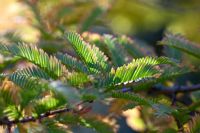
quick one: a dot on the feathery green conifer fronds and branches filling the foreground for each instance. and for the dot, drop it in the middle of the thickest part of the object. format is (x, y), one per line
(110, 67)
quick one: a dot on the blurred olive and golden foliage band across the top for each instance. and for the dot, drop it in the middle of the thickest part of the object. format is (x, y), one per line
(136, 17)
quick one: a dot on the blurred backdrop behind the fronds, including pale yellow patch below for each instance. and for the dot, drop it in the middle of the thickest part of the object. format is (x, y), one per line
(43, 22)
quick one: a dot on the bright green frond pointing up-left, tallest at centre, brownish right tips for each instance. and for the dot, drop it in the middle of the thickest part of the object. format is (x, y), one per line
(94, 59)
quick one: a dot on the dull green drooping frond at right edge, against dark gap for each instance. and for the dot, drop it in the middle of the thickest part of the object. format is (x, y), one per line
(180, 43)
